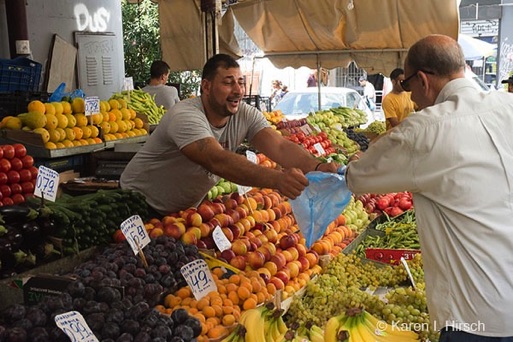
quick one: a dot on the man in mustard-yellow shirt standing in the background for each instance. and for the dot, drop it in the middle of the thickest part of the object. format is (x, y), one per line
(397, 105)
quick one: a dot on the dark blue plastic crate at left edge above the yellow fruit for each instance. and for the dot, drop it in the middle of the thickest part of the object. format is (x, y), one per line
(19, 74)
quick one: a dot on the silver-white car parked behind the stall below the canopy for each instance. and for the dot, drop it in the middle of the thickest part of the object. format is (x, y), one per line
(297, 104)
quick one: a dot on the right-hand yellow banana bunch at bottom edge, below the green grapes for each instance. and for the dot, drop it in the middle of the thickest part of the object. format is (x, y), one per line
(357, 325)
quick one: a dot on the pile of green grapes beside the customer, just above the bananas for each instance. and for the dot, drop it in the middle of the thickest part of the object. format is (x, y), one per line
(348, 282)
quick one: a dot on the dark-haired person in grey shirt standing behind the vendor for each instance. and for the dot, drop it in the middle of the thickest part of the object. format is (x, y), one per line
(165, 95)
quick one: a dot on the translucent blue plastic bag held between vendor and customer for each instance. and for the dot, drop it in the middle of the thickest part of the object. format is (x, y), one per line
(320, 203)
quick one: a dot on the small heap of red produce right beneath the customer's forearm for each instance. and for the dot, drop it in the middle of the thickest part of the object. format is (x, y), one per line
(392, 204)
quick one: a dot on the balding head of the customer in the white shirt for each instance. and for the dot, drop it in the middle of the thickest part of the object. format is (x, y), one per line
(431, 63)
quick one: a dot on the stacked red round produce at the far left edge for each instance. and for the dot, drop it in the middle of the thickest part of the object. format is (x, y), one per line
(17, 174)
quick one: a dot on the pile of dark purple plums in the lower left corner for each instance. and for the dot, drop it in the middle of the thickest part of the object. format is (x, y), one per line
(116, 294)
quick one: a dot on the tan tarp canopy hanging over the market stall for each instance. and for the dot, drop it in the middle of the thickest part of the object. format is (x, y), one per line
(327, 33)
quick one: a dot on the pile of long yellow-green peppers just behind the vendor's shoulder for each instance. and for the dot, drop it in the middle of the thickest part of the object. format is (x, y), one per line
(142, 103)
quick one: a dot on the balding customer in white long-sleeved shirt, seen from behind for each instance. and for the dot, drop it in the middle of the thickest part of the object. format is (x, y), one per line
(456, 156)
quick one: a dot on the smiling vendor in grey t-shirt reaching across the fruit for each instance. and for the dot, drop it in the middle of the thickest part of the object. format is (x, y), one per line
(194, 146)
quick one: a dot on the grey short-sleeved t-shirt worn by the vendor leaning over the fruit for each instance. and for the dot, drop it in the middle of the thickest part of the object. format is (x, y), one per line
(169, 180)
